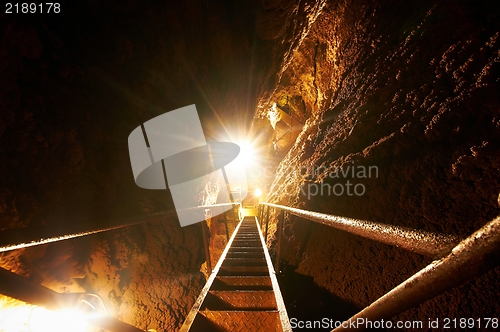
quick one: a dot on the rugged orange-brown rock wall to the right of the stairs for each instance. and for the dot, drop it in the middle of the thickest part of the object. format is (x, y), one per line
(414, 90)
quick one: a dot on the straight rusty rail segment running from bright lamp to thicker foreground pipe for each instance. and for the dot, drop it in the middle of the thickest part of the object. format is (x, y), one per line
(422, 242)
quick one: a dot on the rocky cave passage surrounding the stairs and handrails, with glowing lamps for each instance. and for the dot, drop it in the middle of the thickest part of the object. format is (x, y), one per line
(369, 110)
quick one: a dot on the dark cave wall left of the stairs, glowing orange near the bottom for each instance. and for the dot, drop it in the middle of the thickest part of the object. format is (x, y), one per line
(73, 85)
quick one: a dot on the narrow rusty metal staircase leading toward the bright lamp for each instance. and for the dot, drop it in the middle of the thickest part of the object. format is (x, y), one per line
(242, 293)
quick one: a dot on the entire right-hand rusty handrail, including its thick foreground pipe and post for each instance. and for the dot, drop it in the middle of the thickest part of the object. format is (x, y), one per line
(472, 257)
